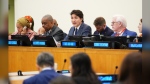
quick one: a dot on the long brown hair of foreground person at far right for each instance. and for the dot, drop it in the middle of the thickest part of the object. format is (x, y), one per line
(131, 69)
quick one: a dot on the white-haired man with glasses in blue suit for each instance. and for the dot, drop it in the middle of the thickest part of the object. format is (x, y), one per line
(119, 25)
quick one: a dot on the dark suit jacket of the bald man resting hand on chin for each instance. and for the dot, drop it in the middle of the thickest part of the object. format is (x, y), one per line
(56, 32)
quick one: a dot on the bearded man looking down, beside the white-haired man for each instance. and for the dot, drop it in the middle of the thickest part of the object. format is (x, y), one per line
(101, 28)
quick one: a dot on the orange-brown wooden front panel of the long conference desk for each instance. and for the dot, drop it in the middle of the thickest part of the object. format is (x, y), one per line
(103, 60)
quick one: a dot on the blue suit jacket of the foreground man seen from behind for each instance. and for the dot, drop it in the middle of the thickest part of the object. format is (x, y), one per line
(43, 77)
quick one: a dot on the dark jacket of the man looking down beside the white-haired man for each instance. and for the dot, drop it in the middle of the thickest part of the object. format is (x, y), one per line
(106, 32)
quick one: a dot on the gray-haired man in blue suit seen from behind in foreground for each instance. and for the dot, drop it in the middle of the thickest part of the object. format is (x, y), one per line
(45, 64)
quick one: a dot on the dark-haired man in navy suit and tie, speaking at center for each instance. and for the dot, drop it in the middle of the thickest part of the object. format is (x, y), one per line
(79, 28)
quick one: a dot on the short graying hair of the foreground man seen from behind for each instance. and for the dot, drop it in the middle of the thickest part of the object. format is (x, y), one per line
(45, 59)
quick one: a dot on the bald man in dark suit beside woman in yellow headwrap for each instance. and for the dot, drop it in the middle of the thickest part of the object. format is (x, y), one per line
(48, 25)
